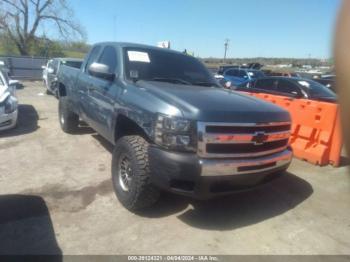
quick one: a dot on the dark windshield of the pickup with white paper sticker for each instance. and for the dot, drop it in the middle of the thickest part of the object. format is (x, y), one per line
(161, 65)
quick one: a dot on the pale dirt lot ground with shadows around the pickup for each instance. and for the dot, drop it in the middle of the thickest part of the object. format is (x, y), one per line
(56, 197)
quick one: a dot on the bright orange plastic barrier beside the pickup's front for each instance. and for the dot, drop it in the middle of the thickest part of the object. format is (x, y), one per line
(316, 131)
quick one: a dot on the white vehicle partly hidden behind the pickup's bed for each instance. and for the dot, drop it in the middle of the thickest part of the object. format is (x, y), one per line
(52, 69)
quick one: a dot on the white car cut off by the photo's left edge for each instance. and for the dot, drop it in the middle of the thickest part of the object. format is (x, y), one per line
(8, 103)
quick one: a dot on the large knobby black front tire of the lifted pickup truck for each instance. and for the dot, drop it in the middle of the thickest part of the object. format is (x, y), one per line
(141, 194)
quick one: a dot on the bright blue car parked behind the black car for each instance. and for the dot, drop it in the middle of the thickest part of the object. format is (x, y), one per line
(239, 76)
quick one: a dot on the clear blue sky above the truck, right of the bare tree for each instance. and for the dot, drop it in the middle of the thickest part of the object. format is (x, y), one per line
(256, 28)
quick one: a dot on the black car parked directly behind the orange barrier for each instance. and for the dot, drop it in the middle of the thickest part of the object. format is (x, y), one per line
(289, 86)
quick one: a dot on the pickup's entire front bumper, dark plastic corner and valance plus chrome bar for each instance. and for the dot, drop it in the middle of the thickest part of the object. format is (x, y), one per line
(186, 174)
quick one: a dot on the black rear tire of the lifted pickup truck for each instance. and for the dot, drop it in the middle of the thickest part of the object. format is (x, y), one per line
(69, 120)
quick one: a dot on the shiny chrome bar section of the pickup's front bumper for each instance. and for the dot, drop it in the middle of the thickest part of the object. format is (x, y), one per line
(229, 167)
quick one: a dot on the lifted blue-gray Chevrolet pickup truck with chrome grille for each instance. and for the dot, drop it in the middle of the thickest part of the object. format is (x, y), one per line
(174, 129)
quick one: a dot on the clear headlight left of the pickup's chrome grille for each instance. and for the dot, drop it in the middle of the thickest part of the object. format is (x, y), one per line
(175, 133)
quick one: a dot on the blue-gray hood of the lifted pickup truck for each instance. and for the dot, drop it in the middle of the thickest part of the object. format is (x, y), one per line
(212, 104)
